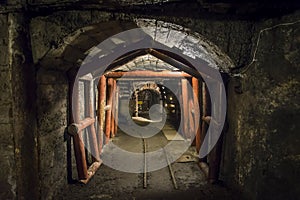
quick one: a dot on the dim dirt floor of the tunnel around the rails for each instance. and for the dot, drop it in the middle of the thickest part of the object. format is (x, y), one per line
(109, 183)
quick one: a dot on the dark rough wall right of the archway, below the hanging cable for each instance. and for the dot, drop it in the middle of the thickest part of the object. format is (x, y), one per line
(262, 145)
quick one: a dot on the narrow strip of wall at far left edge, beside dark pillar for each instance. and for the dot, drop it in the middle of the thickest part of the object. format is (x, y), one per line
(7, 164)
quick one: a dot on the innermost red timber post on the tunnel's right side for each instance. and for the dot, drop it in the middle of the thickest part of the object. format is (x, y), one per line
(185, 104)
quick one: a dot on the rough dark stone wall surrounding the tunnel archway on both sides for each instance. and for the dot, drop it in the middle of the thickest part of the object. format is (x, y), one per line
(261, 147)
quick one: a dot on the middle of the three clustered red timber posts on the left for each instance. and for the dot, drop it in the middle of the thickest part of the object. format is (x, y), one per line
(108, 112)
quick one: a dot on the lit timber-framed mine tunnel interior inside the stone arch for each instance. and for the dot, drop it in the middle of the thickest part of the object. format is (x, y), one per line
(154, 104)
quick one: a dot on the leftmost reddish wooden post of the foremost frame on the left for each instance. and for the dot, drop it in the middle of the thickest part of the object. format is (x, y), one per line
(78, 143)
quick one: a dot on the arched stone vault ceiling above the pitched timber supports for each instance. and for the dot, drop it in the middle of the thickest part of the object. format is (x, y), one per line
(89, 47)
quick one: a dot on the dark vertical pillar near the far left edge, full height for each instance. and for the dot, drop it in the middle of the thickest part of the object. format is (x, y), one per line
(24, 114)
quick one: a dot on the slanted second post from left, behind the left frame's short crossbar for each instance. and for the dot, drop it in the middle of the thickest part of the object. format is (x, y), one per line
(93, 137)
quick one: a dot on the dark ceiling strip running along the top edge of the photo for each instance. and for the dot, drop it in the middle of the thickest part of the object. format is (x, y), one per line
(248, 9)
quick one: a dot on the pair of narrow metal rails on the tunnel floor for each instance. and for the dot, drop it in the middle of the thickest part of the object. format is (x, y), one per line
(145, 174)
